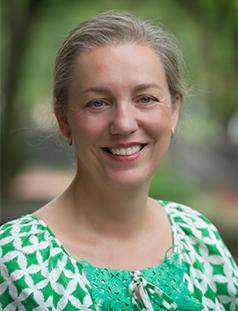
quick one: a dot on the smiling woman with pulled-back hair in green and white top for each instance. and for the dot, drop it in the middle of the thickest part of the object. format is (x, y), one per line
(103, 244)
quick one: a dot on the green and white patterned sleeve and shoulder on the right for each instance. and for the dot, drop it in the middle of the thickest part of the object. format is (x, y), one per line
(211, 270)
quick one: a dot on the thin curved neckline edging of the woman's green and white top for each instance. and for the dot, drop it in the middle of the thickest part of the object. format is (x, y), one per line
(84, 262)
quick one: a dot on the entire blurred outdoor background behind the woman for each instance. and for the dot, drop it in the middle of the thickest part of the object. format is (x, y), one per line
(200, 169)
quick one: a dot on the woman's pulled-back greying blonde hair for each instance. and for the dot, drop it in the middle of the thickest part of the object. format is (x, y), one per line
(114, 28)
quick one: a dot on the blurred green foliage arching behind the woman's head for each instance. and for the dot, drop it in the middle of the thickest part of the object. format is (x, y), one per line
(206, 31)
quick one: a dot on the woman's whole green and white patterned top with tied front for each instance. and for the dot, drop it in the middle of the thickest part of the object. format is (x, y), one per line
(37, 273)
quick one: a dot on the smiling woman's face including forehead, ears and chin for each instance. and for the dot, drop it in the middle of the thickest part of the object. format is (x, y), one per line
(119, 114)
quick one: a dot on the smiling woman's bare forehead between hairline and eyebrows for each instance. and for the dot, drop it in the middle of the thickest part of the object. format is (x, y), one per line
(119, 65)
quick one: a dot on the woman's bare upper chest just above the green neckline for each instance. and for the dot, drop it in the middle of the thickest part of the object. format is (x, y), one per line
(128, 254)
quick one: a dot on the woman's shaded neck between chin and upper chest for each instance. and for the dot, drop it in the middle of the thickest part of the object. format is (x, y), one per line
(108, 210)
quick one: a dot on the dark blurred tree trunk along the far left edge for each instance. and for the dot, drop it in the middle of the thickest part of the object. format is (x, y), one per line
(18, 18)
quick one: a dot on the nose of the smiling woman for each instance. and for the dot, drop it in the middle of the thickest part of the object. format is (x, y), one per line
(124, 120)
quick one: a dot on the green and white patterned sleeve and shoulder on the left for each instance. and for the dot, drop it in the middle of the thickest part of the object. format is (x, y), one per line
(35, 269)
